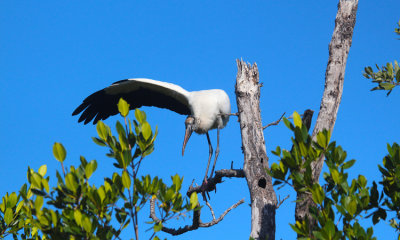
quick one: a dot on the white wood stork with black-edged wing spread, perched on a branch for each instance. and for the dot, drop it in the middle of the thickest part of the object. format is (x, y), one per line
(206, 109)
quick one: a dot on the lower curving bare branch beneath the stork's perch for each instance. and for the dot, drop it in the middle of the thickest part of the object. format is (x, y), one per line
(196, 219)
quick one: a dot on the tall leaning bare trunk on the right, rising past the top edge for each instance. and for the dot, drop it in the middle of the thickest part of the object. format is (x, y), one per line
(334, 78)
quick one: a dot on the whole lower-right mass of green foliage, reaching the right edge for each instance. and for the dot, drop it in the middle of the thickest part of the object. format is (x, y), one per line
(340, 200)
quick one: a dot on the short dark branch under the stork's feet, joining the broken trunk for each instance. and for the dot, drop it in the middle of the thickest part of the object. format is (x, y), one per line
(212, 182)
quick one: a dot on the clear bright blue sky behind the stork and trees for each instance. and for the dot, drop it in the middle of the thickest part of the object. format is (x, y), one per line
(55, 53)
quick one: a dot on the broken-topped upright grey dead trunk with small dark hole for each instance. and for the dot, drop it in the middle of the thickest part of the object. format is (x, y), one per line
(263, 198)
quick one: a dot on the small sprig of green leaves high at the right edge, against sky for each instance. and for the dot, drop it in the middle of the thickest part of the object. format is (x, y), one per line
(387, 77)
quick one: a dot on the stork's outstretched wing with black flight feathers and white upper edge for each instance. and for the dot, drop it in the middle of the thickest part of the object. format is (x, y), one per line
(137, 92)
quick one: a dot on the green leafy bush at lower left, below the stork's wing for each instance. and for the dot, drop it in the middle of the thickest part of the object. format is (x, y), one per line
(76, 209)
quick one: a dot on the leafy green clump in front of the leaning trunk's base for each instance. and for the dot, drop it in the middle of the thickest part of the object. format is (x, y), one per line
(339, 201)
